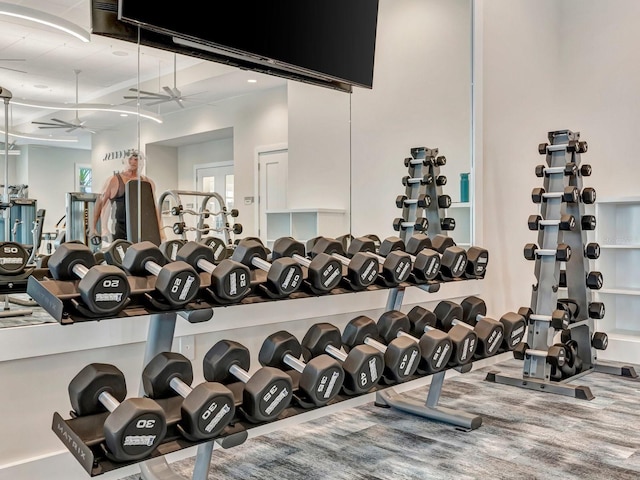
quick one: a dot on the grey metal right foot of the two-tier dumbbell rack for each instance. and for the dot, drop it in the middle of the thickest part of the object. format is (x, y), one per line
(390, 398)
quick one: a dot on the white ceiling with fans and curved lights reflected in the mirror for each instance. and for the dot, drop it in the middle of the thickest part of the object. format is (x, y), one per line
(46, 59)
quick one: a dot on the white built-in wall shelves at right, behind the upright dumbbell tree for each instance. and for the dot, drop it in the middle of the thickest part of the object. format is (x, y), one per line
(618, 234)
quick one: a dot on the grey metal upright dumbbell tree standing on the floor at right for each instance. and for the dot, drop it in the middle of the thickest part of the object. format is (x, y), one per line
(563, 156)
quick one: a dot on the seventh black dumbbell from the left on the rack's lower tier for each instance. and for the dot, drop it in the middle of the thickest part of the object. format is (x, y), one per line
(435, 345)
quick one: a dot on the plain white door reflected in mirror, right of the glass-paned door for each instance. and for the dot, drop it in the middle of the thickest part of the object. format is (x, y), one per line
(272, 185)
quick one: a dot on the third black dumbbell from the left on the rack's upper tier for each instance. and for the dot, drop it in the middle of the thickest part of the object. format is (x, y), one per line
(230, 280)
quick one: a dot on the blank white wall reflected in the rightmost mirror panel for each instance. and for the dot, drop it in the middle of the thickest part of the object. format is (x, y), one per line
(421, 96)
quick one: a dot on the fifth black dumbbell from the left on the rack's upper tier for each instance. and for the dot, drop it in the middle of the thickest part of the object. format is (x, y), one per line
(324, 272)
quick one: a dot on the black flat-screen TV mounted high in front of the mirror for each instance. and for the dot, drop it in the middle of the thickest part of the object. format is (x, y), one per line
(327, 42)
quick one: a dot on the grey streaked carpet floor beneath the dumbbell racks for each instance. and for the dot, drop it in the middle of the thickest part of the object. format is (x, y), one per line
(524, 435)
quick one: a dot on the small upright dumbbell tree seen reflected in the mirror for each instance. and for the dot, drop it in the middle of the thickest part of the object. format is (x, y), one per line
(424, 168)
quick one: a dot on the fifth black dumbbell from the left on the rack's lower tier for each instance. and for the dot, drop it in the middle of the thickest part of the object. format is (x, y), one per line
(363, 365)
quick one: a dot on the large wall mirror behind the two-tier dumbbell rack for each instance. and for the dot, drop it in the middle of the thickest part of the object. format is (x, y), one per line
(320, 161)
